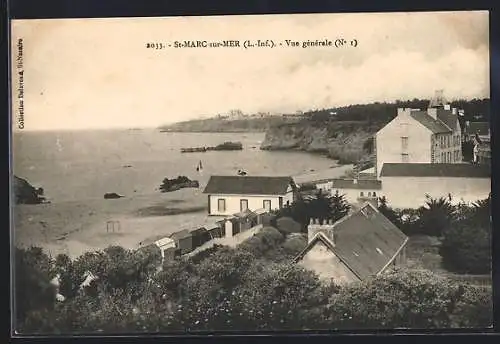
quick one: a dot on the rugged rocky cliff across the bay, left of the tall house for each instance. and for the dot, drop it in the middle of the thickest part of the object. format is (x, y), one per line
(346, 141)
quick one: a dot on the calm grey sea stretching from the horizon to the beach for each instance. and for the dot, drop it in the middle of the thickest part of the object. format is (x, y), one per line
(77, 165)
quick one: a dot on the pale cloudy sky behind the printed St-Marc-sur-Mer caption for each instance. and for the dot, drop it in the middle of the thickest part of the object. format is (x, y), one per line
(97, 73)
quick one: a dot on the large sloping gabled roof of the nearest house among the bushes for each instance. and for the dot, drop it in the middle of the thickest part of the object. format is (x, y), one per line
(365, 241)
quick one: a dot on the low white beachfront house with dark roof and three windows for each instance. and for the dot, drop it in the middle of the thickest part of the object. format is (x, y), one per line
(228, 195)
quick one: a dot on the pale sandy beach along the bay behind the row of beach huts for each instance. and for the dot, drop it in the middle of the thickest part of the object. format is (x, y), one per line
(74, 227)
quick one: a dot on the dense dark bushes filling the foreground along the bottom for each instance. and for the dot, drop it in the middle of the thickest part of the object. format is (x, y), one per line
(251, 287)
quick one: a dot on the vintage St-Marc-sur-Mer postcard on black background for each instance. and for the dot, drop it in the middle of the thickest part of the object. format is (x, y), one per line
(251, 173)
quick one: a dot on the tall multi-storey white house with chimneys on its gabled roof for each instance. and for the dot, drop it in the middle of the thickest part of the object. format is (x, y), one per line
(416, 136)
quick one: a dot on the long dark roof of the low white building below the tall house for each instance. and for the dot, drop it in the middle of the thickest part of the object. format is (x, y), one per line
(434, 170)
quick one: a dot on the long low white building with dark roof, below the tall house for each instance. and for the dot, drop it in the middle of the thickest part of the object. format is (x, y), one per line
(406, 185)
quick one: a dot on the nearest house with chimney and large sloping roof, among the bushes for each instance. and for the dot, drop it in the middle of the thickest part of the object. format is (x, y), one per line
(362, 244)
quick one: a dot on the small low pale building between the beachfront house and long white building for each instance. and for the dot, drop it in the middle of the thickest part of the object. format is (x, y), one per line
(355, 190)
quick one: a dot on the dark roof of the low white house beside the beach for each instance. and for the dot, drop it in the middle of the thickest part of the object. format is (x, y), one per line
(248, 185)
